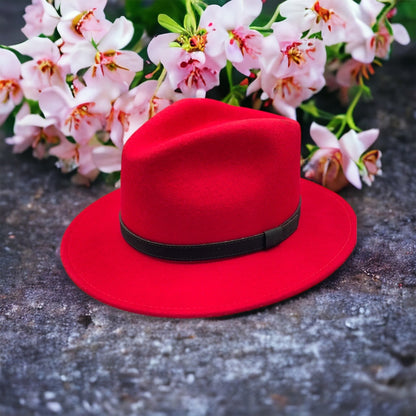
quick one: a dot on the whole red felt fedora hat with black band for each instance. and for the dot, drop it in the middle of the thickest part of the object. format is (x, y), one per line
(212, 218)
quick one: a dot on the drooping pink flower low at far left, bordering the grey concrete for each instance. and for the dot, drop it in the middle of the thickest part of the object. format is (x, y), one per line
(32, 130)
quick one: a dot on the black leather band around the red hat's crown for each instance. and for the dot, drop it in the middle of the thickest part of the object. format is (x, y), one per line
(213, 251)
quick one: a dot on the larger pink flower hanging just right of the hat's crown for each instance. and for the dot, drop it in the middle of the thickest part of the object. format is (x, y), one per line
(346, 152)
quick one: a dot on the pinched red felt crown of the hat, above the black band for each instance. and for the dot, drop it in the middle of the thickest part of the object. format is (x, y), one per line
(202, 171)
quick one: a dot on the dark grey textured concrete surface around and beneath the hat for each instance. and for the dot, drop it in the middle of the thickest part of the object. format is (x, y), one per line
(346, 347)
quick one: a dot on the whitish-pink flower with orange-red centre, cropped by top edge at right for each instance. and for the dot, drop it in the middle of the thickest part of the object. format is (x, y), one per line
(334, 19)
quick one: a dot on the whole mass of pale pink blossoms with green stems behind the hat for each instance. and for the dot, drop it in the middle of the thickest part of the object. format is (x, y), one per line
(77, 92)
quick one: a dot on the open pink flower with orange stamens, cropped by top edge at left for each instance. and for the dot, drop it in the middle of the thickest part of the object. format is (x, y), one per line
(83, 20)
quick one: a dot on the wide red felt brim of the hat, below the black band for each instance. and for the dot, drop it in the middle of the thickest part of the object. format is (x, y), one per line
(103, 265)
